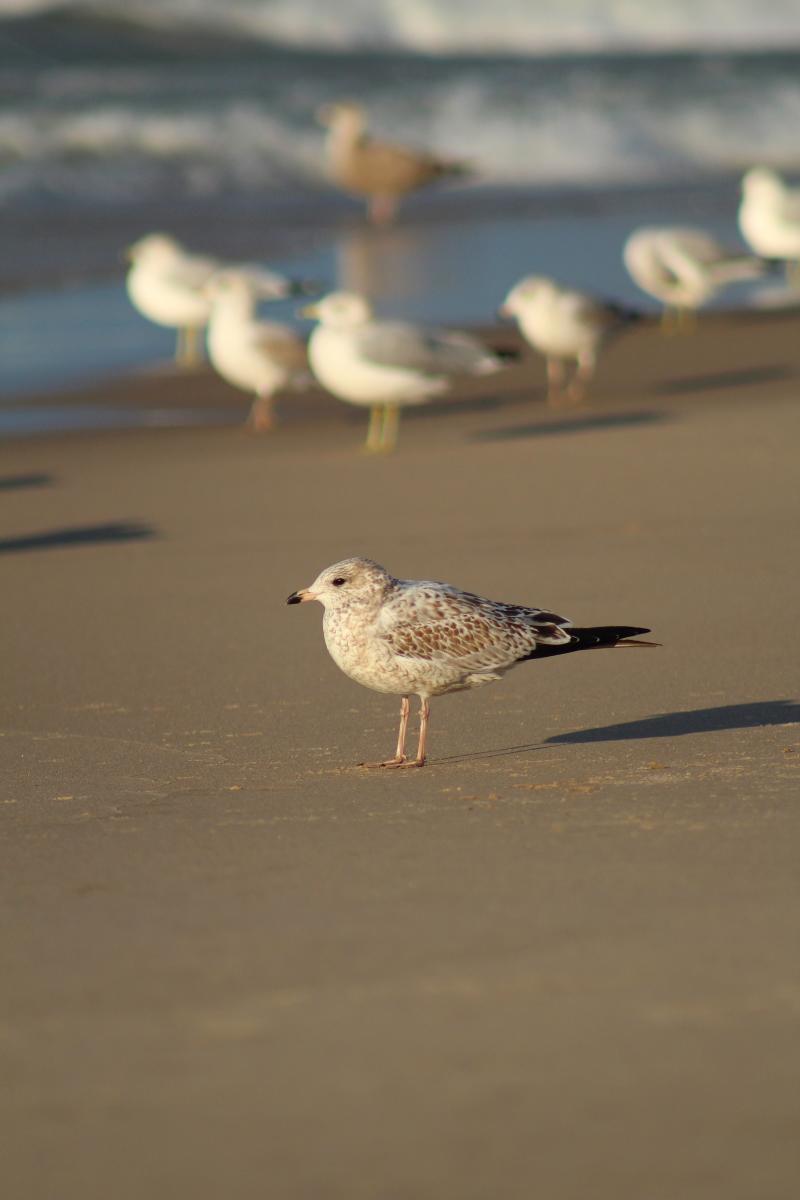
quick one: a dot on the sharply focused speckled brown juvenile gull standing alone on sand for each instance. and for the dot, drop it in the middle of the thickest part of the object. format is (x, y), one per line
(418, 638)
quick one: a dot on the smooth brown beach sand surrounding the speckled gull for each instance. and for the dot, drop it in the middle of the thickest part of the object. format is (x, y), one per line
(562, 961)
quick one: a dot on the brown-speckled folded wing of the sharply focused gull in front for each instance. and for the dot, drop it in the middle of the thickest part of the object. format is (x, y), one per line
(467, 632)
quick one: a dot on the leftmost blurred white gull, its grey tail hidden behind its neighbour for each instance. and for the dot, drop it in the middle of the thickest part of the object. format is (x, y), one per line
(166, 285)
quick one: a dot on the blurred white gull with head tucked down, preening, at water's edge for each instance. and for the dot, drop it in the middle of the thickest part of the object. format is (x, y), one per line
(684, 268)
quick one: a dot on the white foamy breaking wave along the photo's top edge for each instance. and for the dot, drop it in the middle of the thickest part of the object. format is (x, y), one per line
(435, 27)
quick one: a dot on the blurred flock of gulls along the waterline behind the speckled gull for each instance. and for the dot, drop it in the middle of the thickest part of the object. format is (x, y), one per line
(386, 365)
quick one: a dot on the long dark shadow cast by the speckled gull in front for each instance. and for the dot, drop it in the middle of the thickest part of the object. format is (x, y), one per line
(664, 725)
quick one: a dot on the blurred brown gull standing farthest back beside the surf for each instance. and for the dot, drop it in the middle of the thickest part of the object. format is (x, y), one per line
(381, 171)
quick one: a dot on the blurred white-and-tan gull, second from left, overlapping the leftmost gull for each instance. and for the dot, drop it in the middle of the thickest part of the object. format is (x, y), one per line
(260, 357)
